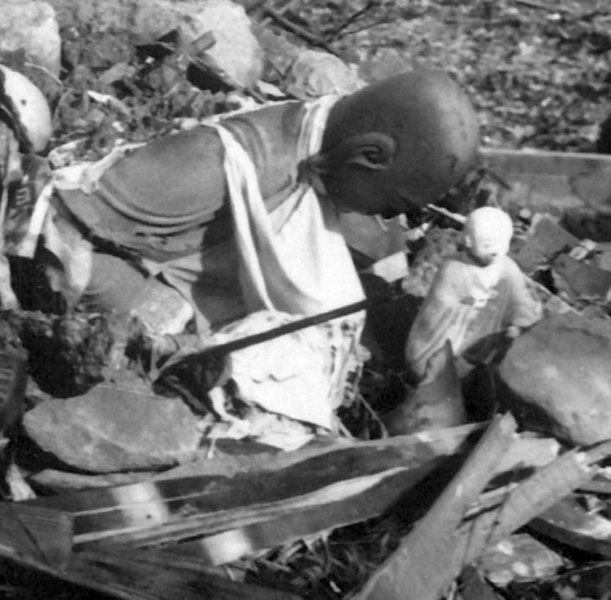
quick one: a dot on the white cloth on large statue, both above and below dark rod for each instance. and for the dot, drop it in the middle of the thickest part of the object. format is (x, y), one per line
(294, 260)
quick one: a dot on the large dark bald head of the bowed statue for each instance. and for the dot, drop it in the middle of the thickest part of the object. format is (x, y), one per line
(398, 144)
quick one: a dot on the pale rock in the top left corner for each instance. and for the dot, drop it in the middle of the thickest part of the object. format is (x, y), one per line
(31, 26)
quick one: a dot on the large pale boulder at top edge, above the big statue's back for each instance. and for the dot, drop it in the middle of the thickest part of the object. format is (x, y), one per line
(236, 50)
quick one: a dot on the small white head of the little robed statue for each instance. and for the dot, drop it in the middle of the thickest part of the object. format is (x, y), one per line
(488, 232)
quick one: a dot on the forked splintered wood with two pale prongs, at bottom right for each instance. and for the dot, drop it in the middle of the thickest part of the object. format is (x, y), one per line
(439, 546)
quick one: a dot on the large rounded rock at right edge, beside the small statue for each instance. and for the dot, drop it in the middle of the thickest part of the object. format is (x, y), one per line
(559, 378)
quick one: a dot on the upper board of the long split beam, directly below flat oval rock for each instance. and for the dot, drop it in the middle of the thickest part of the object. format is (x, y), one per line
(149, 504)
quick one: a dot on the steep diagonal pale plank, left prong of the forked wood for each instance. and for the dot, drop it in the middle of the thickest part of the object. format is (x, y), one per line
(418, 569)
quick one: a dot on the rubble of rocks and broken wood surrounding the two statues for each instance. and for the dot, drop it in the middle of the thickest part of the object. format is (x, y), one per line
(142, 460)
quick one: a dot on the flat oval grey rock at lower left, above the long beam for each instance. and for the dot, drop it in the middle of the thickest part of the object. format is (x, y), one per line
(110, 429)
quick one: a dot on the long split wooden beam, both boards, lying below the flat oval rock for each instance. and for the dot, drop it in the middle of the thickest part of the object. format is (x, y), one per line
(341, 477)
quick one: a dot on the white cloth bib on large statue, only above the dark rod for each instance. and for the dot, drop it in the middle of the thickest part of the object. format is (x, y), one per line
(301, 265)
